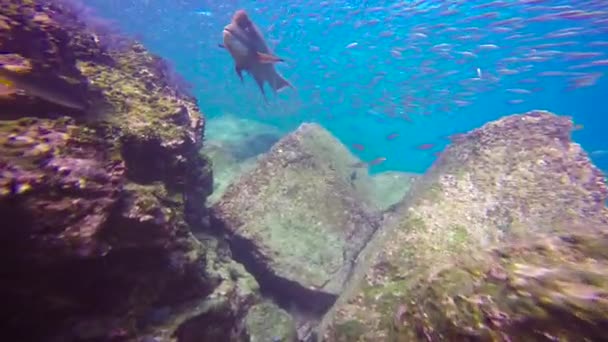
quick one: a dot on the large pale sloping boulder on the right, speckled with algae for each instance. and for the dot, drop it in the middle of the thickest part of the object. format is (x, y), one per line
(433, 274)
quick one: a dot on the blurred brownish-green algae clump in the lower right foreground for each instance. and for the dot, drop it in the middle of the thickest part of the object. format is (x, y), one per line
(474, 300)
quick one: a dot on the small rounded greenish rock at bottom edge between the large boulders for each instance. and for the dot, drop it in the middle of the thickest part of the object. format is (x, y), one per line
(267, 322)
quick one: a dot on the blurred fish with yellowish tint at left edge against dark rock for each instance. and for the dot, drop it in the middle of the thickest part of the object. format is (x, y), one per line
(57, 93)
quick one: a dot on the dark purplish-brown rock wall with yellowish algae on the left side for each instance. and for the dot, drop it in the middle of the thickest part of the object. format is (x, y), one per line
(98, 190)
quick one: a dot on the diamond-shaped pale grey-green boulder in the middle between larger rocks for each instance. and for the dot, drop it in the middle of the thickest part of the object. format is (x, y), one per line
(296, 220)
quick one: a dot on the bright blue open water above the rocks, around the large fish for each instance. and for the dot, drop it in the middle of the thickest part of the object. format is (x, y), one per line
(361, 94)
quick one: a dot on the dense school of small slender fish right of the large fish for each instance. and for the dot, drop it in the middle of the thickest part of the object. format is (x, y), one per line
(433, 56)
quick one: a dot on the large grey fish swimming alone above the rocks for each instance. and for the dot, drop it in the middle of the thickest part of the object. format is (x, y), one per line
(246, 45)
